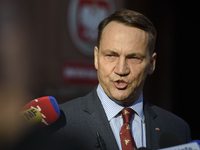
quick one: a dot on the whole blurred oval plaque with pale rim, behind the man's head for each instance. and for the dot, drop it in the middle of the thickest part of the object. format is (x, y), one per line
(84, 17)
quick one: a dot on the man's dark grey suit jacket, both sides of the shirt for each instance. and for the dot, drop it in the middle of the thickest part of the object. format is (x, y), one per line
(83, 117)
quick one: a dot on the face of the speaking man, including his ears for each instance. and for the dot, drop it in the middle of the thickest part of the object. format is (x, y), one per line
(123, 62)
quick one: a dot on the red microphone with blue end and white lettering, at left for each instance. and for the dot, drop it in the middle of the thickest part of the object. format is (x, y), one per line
(47, 106)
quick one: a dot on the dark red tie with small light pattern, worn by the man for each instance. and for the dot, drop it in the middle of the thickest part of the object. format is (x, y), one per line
(127, 140)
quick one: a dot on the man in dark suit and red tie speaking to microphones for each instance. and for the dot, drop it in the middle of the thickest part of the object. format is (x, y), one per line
(124, 56)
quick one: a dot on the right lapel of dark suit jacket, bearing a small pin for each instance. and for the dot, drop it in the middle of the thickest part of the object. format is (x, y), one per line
(153, 128)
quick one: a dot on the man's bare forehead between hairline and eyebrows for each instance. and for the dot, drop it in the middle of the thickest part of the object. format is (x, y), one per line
(117, 36)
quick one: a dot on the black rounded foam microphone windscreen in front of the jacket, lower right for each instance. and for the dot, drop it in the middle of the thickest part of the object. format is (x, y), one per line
(169, 138)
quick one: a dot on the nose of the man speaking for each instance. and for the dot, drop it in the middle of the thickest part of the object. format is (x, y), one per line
(122, 68)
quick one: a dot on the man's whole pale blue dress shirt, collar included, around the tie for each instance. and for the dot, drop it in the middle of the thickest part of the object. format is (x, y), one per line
(112, 110)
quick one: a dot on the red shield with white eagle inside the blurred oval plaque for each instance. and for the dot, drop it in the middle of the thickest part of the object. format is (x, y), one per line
(90, 13)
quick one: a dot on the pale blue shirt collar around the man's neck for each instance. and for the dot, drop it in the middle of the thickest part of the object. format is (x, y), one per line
(112, 108)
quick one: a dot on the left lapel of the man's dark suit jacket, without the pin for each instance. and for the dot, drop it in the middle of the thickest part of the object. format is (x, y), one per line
(98, 122)
